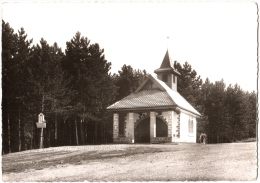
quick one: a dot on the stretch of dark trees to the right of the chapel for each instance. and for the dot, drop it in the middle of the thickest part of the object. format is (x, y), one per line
(229, 113)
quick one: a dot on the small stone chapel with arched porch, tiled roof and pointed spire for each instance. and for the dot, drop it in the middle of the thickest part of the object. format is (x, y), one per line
(155, 112)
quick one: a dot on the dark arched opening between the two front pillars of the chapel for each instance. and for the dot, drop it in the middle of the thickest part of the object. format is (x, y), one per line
(142, 131)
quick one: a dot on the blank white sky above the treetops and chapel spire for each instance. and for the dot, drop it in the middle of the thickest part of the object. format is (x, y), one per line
(217, 38)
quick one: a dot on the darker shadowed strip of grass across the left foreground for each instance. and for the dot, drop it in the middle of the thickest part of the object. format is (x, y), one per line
(34, 162)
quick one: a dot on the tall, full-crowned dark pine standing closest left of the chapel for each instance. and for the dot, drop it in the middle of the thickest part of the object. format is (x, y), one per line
(86, 65)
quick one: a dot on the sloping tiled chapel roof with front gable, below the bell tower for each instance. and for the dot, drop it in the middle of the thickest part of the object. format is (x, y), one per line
(161, 96)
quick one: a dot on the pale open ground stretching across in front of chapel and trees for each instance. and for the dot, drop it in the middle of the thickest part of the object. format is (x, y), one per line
(134, 162)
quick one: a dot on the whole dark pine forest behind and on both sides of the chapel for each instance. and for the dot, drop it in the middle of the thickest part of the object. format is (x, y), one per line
(73, 88)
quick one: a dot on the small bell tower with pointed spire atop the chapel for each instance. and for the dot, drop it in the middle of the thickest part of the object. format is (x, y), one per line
(167, 73)
